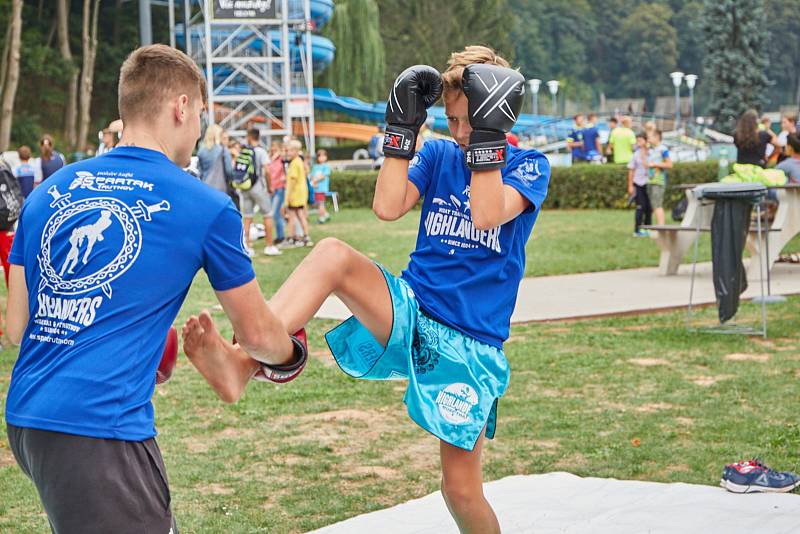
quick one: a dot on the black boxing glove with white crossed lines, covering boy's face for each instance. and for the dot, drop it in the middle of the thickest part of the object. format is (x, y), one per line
(494, 95)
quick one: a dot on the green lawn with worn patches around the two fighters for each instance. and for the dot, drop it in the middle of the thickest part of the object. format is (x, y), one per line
(633, 397)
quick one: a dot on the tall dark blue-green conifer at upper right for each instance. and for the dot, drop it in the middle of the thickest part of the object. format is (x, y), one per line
(736, 58)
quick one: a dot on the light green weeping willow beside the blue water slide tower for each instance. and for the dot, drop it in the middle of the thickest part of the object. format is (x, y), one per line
(358, 68)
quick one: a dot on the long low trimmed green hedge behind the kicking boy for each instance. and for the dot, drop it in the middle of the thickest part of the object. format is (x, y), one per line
(576, 187)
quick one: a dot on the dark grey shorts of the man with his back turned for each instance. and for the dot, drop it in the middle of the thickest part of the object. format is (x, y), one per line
(93, 486)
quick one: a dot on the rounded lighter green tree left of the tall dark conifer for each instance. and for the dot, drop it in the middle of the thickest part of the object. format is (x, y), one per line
(648, 50)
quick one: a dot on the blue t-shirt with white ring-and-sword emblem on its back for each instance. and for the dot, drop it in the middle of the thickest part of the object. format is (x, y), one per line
(110, 246)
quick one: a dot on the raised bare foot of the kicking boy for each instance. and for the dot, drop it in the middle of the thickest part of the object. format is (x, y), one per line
(226, 367)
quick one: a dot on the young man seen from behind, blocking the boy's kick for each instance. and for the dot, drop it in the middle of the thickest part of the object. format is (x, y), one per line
(103, 258)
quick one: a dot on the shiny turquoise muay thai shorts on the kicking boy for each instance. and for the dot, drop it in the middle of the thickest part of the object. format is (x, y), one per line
(454, 380)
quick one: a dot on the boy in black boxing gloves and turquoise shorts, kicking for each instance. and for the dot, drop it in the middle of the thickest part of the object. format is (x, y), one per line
(441, 324)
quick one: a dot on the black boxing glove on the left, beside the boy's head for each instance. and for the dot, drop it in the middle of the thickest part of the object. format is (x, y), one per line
(413, 92)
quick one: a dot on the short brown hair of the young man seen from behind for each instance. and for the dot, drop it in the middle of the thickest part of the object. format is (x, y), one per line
(152, 74)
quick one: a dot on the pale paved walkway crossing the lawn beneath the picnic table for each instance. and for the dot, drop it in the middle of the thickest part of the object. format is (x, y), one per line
(572, 296)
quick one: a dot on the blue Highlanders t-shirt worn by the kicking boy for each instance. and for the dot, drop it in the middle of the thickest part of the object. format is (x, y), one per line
(464, 277)
